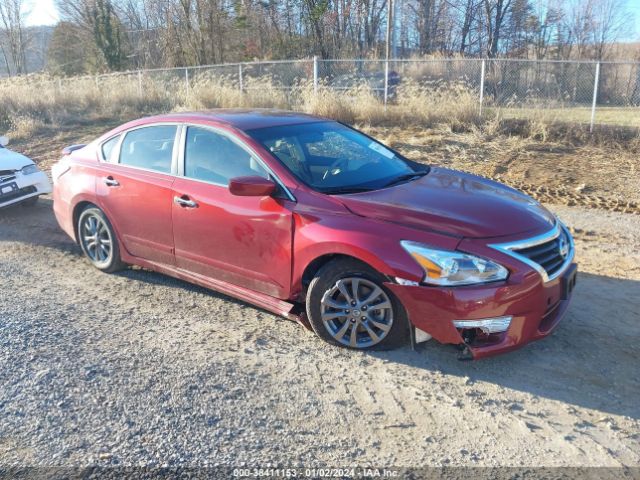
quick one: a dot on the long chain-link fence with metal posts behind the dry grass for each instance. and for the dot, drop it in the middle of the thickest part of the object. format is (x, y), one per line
(569, 91)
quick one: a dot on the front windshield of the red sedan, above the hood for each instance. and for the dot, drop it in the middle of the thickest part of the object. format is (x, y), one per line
(332, 158)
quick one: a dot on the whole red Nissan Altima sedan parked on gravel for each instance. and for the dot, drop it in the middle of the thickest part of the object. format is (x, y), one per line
(313, 220)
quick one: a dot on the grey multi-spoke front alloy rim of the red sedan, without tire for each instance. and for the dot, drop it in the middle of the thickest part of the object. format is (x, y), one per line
(357, 312)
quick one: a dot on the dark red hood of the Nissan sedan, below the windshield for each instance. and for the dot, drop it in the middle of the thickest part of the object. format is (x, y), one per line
(454, 203)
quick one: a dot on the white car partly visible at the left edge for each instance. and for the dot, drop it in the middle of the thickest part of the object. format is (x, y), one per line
(20, 179)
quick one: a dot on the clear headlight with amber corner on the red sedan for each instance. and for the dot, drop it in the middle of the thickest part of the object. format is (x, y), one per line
(448, 268)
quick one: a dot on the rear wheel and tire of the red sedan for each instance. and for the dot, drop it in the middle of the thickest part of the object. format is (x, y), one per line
(98, 240)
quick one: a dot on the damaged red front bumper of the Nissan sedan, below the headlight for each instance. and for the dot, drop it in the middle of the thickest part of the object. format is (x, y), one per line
(536, 309)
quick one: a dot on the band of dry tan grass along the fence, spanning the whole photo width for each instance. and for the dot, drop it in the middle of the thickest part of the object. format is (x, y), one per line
(30, 104)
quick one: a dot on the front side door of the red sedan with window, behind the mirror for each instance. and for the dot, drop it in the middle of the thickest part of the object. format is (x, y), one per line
(245, 241)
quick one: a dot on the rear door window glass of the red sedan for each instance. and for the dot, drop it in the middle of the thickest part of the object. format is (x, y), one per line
(149, 147)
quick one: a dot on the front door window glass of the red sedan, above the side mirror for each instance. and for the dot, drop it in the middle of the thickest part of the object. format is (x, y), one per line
(213, 157)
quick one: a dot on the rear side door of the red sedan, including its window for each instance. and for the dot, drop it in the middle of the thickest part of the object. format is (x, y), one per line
(135, 189)
